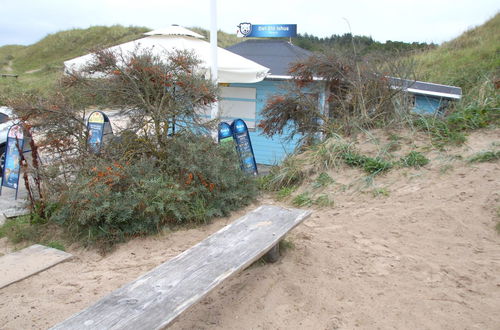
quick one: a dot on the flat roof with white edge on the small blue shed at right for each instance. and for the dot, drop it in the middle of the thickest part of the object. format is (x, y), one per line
(426, 88)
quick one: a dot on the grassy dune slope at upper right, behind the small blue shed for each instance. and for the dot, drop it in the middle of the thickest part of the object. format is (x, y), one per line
(467, 61)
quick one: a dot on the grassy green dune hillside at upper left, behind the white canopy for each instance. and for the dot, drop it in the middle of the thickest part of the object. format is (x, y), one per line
(40, 64)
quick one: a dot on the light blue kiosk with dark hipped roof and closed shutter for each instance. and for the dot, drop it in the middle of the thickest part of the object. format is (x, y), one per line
(246, 101)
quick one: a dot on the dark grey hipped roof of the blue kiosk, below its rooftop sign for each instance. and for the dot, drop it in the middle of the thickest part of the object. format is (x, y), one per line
(277, 55)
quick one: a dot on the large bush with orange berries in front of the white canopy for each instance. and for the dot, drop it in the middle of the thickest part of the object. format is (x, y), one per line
(152, 175)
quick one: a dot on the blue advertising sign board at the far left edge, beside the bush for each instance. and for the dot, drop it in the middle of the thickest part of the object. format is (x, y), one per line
(12, 165)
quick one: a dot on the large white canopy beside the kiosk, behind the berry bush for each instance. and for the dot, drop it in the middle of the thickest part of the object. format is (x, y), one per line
(232, 68)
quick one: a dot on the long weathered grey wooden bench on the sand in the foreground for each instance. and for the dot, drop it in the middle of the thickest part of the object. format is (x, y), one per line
(155, 299)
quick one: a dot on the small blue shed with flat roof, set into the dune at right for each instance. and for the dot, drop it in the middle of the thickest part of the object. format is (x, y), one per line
(427, 98)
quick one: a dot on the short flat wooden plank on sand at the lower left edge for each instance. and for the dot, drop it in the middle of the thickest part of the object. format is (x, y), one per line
(17, 266)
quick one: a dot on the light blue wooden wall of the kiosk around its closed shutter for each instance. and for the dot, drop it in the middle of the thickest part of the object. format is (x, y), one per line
(267, 150)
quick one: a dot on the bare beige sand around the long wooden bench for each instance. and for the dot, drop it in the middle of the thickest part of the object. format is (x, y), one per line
(426, 256)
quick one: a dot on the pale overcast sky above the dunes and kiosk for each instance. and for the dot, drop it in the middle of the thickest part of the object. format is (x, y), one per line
(27, 21)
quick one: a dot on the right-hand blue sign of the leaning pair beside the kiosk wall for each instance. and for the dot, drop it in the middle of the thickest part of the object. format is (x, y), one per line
(244, 146)
